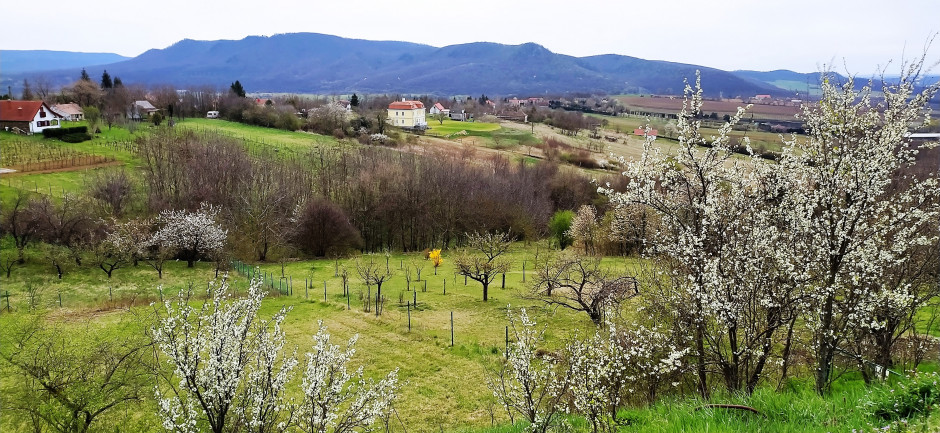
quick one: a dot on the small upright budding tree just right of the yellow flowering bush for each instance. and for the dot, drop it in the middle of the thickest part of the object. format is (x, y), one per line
(490, 262)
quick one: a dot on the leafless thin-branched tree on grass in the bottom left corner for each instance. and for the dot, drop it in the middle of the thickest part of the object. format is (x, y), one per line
(71, 376)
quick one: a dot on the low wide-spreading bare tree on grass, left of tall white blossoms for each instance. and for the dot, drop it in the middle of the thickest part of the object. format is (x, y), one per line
(580, 283)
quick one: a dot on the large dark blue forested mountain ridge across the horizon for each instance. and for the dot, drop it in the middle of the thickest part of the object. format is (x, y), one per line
(317, 63)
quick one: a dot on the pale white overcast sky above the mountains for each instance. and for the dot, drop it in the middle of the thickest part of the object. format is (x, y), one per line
(800, 35)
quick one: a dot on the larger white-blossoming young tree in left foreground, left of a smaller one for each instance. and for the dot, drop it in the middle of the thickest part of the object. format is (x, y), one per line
(228, 367)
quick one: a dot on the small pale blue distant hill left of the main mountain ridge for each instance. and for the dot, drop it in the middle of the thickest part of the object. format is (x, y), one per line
(18, 61)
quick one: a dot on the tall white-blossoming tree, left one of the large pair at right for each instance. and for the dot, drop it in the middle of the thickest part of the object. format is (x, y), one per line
(718, 280)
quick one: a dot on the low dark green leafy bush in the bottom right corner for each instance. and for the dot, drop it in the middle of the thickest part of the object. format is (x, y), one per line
(908, 398)
